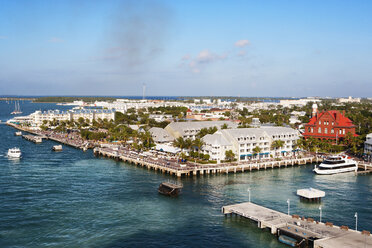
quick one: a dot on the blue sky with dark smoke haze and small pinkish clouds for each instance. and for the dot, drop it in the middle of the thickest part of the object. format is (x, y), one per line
(213, 48)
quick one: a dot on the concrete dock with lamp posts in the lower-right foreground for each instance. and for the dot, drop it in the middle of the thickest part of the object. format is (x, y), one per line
(307, 231)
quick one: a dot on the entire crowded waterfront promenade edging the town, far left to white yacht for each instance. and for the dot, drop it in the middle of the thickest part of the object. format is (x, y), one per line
(171, 164)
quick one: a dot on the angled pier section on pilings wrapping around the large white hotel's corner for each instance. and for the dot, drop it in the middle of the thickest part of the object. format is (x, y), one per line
(179, 170)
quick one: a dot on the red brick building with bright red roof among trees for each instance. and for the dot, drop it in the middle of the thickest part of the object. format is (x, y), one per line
(329, 125)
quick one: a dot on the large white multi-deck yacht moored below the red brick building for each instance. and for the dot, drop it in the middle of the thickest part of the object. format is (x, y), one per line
(336, 164)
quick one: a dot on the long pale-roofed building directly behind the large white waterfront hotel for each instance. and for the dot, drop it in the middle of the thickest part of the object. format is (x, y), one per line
(188, 130)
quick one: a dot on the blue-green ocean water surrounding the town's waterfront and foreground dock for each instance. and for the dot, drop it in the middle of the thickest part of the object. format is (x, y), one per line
(72, 199)
